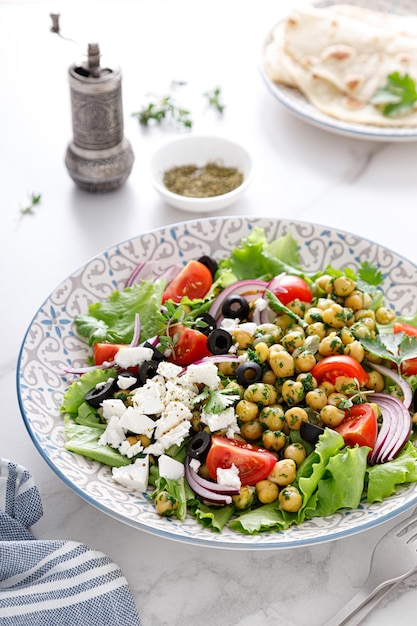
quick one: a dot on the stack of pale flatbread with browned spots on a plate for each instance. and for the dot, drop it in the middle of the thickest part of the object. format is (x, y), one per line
(340, 55)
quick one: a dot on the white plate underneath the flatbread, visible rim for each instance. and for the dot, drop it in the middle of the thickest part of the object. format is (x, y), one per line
(294, 101)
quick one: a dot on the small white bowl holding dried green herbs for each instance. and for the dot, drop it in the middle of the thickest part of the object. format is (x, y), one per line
(200, 150)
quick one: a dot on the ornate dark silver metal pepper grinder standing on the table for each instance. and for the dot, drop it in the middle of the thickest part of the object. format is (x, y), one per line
(99, 158)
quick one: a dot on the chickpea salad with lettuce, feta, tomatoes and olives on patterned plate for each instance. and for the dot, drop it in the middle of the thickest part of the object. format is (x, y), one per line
(246, 391)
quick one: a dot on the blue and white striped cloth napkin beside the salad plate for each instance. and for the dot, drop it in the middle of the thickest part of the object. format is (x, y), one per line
(49, 583)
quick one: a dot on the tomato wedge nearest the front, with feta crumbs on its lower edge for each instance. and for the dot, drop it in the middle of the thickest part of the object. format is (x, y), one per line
(254, 463)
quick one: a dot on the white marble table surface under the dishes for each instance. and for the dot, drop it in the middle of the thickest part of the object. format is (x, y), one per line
(302, 172)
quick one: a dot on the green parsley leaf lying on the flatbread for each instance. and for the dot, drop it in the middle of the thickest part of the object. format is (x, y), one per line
(397, 97)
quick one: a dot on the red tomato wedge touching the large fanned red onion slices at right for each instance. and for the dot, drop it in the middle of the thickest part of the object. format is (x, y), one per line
(360, 426)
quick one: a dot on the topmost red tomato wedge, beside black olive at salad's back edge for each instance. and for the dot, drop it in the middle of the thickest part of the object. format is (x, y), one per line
(193, 281)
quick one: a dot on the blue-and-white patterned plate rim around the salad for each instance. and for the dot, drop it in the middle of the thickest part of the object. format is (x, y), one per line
(51, 344)
